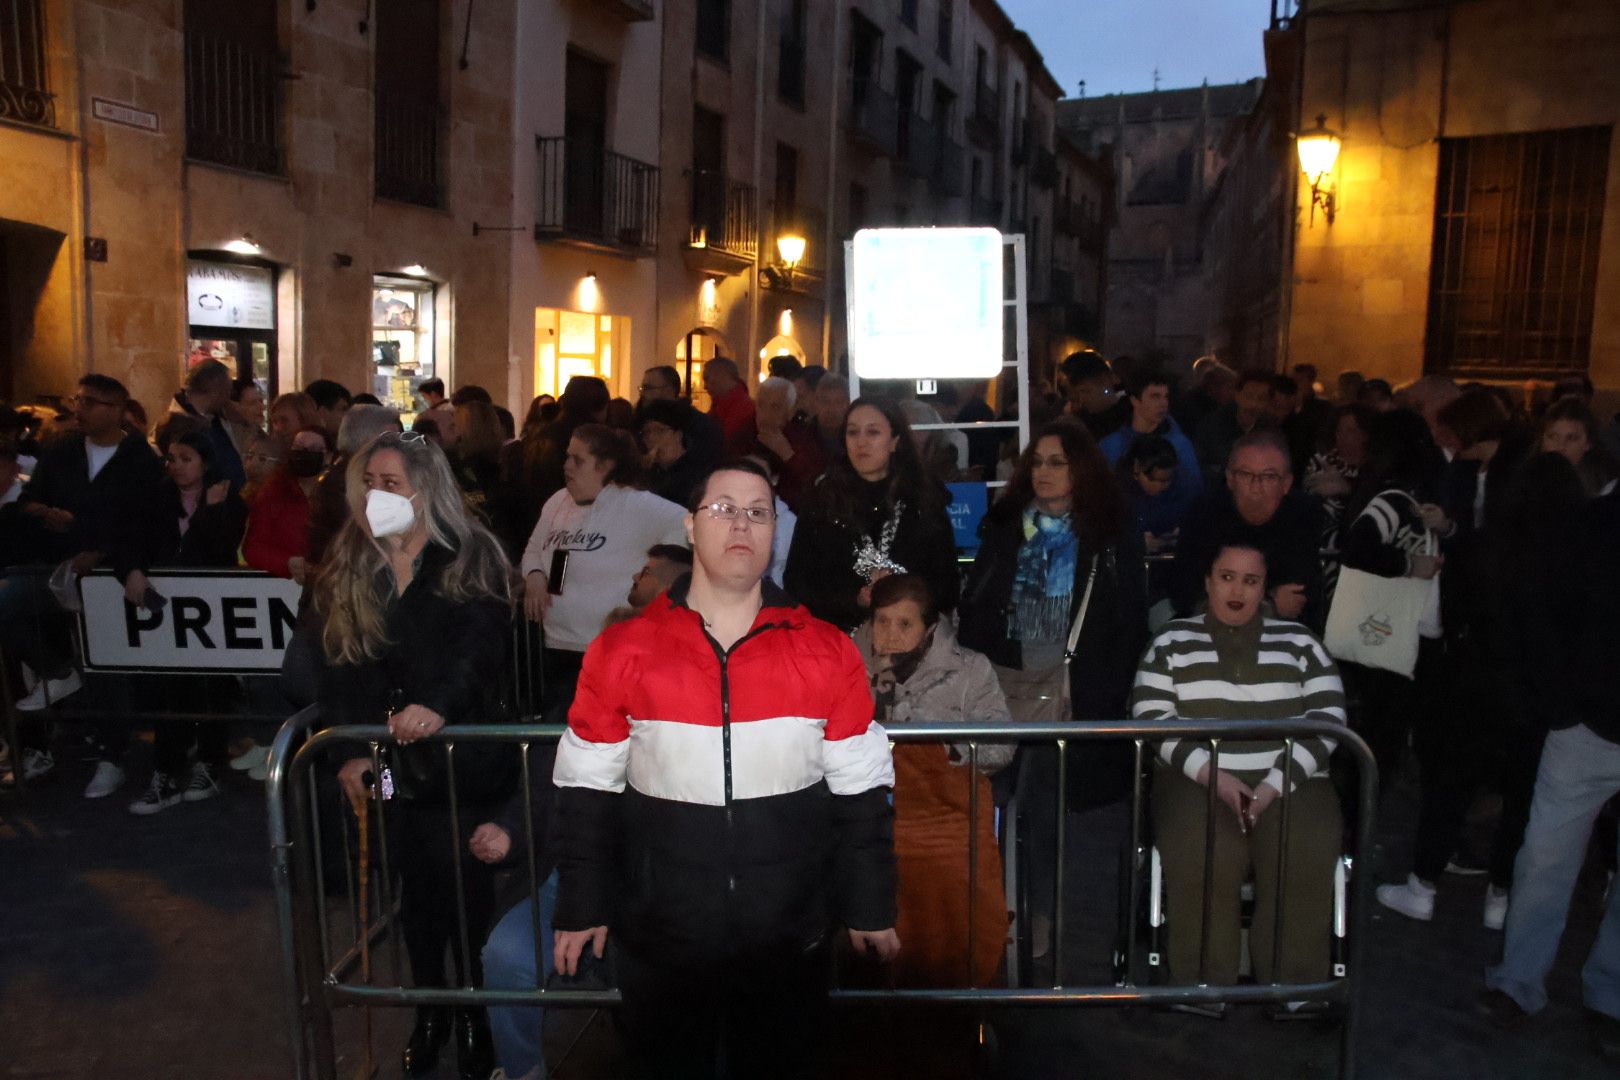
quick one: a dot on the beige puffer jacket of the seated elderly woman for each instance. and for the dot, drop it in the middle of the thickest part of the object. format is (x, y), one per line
(952, 686)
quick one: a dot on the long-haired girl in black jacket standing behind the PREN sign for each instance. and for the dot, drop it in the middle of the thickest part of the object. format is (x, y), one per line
(197, 521)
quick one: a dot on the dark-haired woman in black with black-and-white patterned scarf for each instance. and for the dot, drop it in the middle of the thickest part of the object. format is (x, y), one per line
(874, 514)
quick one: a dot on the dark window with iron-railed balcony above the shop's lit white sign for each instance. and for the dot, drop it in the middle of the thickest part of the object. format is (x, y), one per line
(234, 85)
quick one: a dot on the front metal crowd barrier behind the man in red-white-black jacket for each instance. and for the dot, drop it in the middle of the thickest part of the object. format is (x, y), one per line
(323, 976)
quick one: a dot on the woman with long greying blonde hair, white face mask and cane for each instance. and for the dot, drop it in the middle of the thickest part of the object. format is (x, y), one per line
(416, 613)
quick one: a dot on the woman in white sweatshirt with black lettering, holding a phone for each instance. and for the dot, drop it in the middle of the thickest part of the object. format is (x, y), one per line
(590, 540)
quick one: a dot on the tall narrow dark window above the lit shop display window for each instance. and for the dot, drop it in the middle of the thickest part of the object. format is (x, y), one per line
(407, 85)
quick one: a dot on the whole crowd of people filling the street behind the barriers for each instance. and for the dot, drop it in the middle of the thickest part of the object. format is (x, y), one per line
(736, 602)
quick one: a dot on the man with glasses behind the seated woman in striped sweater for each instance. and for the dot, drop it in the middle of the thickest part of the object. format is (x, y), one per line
(1261, 504)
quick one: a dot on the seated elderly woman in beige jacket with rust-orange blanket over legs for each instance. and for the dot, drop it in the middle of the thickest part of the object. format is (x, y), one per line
(921, 673)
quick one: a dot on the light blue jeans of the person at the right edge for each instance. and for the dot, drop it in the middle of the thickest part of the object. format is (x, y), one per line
(1579, 775)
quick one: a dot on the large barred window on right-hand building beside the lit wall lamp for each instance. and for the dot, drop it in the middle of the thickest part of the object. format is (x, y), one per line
(1514, 274)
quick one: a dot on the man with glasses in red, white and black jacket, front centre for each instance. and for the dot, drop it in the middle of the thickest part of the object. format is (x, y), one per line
(723, 801)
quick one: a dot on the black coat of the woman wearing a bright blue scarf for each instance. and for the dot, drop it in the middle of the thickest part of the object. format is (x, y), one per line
(1106, 655)
